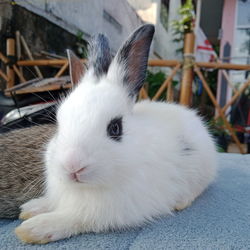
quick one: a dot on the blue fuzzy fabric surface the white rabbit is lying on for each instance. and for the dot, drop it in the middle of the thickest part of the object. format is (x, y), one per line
(219, 219)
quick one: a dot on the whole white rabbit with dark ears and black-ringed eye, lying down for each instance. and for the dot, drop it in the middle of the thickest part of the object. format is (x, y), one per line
(114, 163)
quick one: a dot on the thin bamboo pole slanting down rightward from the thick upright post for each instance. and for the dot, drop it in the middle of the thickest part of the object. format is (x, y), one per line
(213, 99)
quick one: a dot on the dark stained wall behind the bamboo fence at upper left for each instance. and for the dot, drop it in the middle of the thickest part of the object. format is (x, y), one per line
(40, 35)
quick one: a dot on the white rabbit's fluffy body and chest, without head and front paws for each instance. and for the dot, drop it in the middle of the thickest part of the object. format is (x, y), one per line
(169, 169)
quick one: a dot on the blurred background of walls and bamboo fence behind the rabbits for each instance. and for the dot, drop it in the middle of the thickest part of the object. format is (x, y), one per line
(200, 57)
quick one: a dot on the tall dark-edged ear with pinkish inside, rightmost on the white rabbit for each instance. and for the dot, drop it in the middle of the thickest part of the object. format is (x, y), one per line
(133, 58)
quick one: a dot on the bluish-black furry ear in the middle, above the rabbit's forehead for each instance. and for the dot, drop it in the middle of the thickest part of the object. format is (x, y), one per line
(99, 55)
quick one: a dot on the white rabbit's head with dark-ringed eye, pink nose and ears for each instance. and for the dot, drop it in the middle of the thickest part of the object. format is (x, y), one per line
(96, 125)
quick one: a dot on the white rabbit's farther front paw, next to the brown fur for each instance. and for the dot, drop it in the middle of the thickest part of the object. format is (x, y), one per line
(34, 207)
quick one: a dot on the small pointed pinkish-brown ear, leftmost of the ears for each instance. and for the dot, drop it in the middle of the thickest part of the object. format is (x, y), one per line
(76, 67)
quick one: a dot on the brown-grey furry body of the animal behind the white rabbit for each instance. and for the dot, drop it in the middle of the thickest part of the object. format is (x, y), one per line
(21, 167)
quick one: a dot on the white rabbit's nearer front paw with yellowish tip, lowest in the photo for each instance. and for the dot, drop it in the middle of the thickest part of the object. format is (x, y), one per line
(41, 229)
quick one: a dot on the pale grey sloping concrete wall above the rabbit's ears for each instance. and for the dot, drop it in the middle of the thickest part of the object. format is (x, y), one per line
(115, 18)
